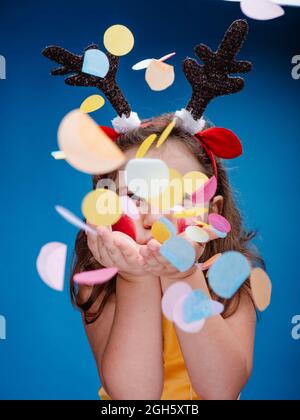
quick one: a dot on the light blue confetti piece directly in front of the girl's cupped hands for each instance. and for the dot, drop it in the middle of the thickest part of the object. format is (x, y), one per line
(179, 252)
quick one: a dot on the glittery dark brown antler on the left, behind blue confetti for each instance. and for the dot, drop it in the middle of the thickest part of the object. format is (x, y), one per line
(71, 64)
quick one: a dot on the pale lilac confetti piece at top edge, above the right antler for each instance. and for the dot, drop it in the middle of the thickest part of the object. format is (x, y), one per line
(261, 9)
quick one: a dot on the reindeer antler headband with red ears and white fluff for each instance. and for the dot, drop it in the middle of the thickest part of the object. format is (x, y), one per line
(208, 80)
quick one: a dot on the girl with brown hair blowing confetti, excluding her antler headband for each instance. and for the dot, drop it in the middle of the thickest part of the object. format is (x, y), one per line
(139, 354)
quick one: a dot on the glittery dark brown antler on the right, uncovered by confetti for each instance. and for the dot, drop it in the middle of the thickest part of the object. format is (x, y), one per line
(211, 79)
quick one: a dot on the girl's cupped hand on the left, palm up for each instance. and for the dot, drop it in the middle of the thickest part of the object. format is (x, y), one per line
(115, 249)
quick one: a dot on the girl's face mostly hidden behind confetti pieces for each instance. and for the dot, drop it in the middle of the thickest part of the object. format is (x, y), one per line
(176, 156)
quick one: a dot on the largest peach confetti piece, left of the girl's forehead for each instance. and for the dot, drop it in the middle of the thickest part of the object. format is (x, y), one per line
(87, 148)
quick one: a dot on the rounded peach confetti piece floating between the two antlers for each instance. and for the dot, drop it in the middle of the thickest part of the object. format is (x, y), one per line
(159, 75)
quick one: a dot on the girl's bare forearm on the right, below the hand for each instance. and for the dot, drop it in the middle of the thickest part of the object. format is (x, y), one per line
(219, 357)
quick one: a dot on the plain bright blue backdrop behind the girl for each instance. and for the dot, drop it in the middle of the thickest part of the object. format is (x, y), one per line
(46, 354)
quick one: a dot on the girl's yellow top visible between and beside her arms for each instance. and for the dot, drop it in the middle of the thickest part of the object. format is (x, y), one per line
(177, 385)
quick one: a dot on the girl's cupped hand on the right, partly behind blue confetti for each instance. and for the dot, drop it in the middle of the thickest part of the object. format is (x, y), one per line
(156, 264)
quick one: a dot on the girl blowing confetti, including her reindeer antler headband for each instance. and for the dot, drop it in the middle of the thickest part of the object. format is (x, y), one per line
(139, 353)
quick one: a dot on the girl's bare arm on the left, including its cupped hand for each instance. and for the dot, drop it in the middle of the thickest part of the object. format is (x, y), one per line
(127, 337)
